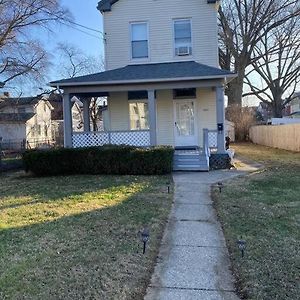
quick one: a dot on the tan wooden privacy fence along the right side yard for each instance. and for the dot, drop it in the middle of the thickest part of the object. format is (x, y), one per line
(277, 136)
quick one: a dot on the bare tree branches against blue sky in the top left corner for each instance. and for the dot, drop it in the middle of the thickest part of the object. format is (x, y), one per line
(22, 56)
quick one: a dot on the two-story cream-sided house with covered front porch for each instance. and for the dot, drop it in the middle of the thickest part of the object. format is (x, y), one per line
(162, 81)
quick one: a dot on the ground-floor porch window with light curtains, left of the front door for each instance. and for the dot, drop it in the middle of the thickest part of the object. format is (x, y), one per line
(138, 113)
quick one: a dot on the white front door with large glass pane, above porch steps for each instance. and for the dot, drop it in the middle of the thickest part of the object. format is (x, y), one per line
(185, 124)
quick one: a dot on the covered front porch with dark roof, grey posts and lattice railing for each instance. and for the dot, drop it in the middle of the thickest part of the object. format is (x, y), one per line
(175, 104)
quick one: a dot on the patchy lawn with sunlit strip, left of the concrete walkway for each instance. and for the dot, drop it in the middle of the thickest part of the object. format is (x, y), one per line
(76, 237)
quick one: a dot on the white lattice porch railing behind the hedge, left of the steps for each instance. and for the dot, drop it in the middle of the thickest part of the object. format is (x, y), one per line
(139, 138)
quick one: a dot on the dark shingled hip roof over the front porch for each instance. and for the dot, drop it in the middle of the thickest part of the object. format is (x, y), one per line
(143, 76)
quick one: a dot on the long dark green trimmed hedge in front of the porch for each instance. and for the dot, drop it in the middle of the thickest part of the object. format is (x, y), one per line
(123, 160)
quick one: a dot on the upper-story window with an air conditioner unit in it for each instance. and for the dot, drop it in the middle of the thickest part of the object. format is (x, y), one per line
(183, 37)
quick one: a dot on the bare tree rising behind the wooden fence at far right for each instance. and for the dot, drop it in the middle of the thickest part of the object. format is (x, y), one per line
(278, 67)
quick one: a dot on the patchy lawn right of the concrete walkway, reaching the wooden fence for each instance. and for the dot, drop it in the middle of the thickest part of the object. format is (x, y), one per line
(264, 209)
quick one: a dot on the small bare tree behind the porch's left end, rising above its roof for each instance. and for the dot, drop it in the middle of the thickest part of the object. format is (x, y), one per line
(73, 62)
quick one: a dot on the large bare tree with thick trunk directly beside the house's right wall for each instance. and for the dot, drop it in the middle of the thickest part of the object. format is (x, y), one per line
(243, 24)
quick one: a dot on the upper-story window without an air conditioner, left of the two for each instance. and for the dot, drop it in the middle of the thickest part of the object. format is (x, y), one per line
(139, 40)
